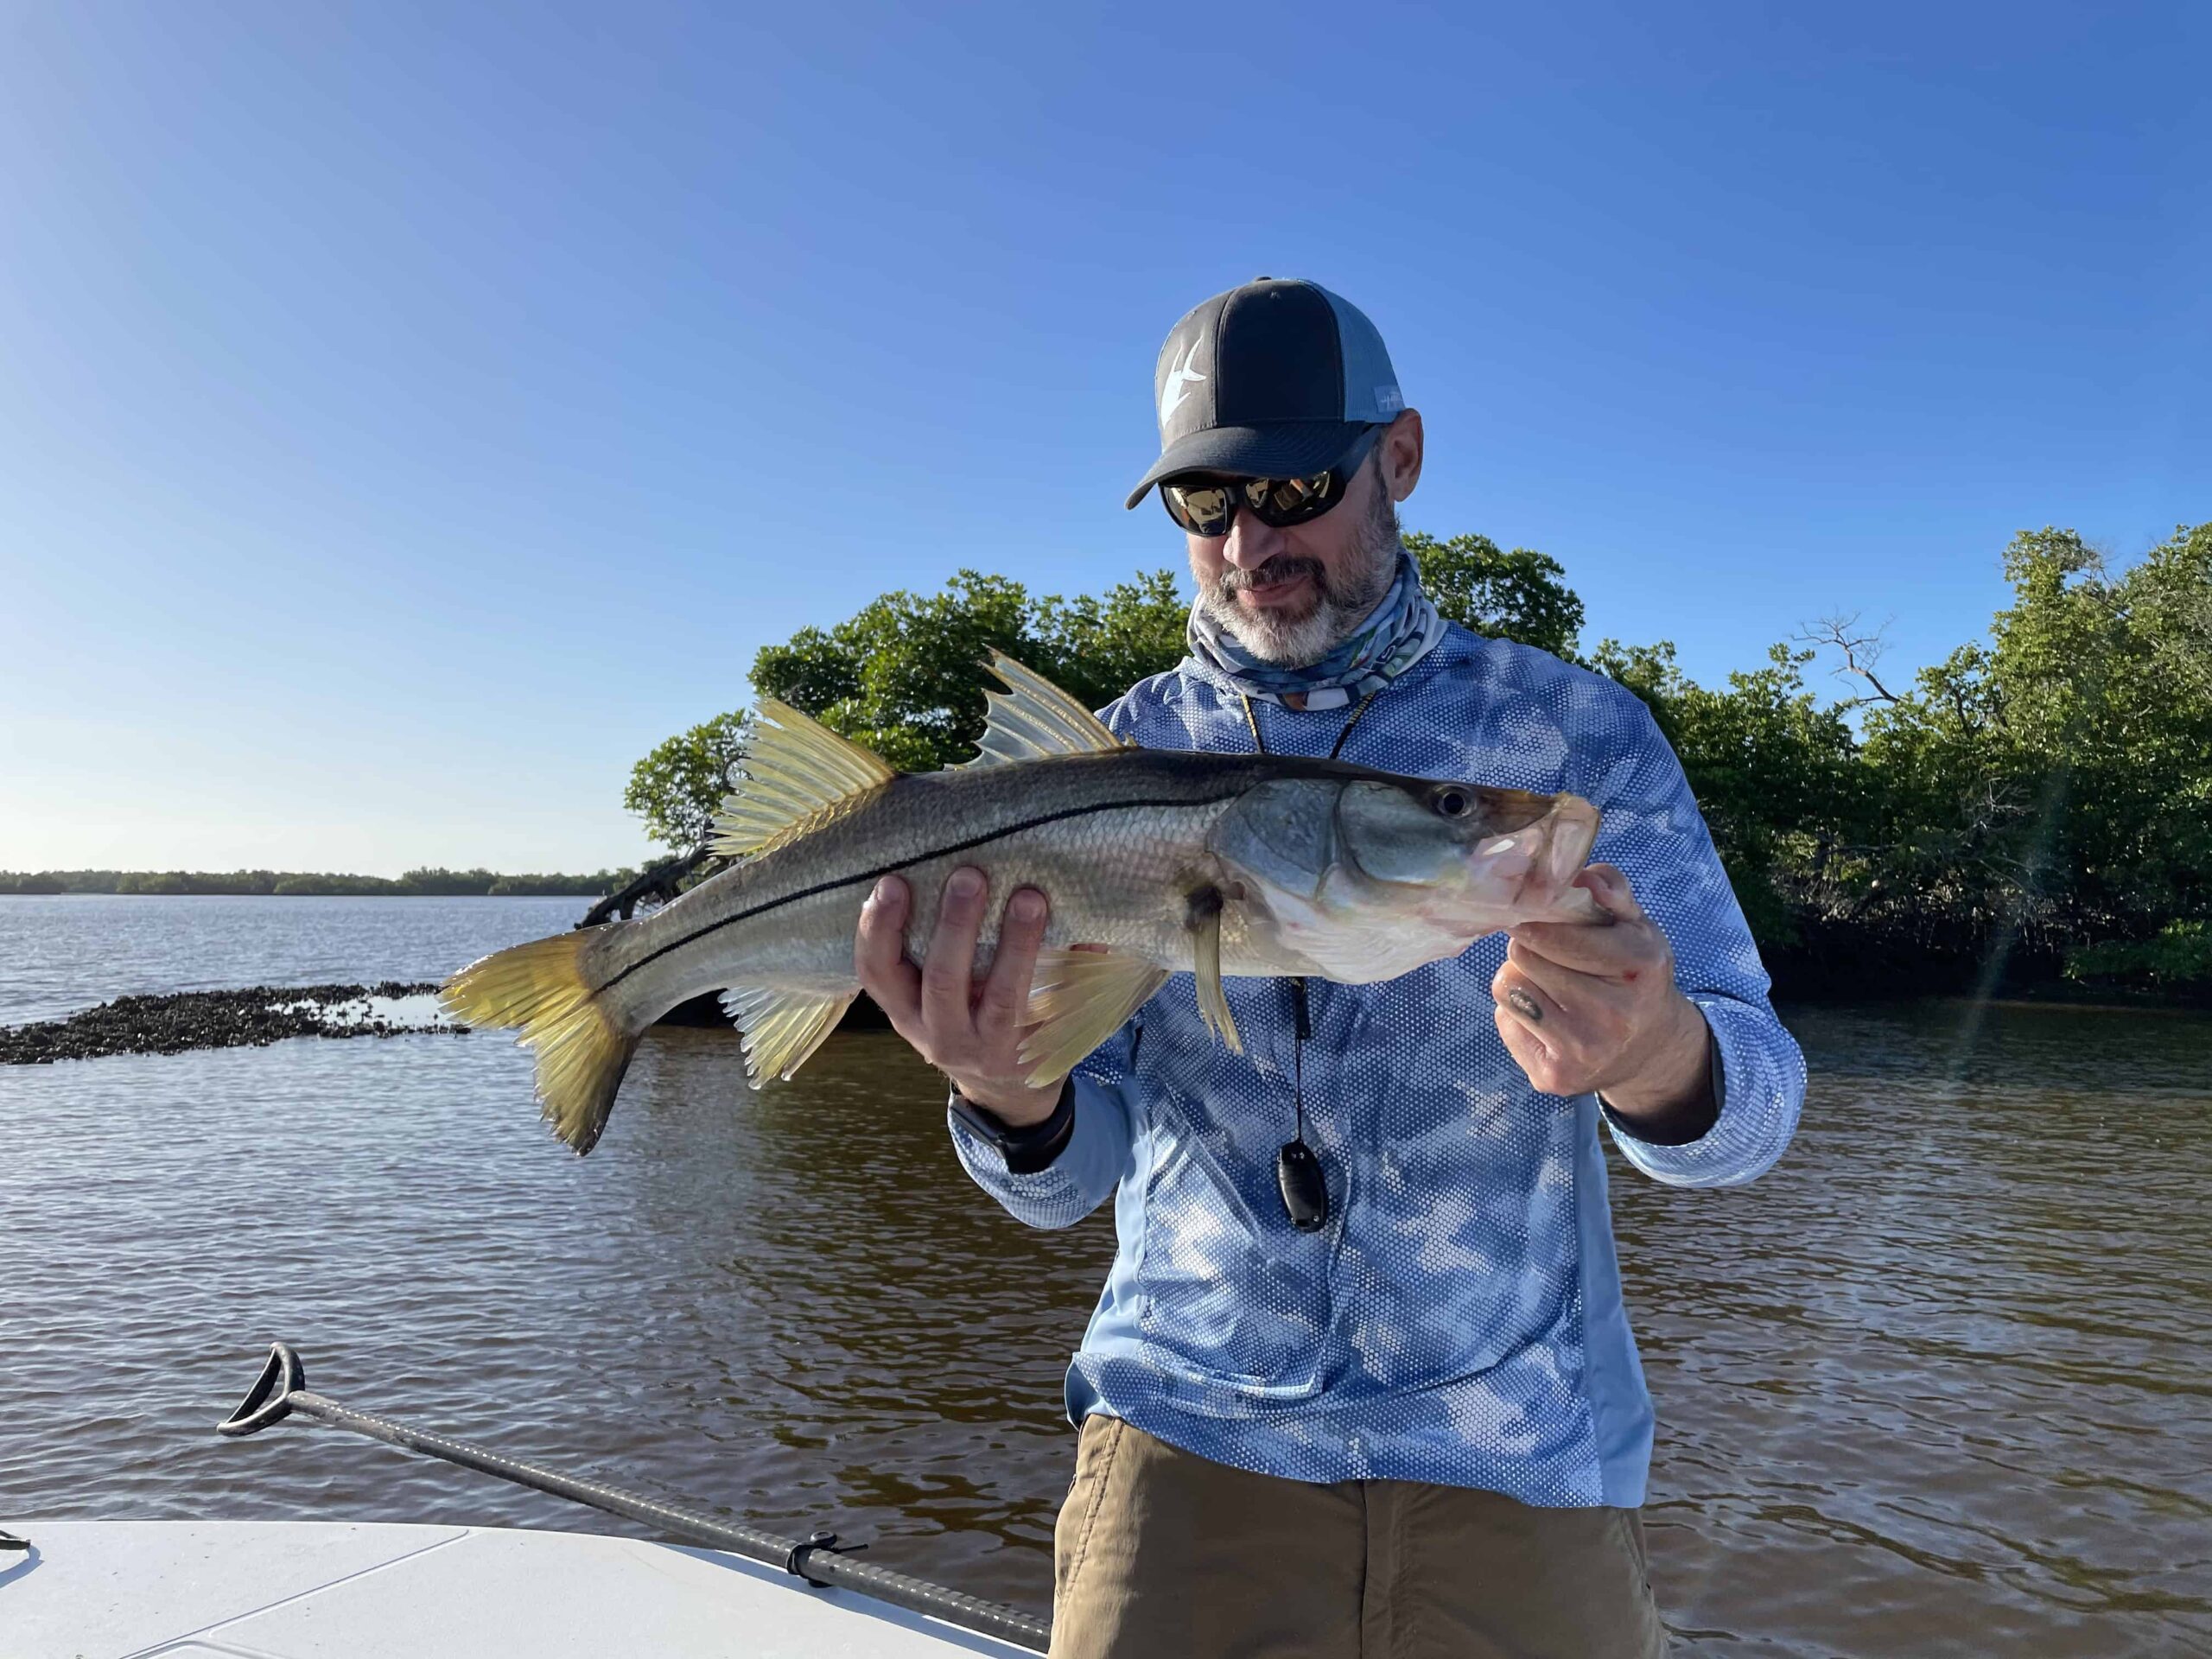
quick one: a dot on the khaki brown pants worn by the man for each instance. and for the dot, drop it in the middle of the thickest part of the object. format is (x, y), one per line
(1165, 1556)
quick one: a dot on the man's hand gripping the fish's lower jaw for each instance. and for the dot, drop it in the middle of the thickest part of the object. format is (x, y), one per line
(1596, 1010)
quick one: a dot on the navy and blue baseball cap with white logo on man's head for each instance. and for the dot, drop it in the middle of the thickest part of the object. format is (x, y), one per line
(1273, 379)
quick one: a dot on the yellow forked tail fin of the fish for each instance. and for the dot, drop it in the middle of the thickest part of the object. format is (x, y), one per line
(578, 1036)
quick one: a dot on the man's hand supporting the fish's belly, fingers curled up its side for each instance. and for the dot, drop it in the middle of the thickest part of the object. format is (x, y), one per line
(970, 1034)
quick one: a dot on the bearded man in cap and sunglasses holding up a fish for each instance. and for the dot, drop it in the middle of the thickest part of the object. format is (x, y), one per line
(1388, 1404)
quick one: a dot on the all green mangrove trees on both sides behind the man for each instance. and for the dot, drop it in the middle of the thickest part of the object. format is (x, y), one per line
(2045, 793)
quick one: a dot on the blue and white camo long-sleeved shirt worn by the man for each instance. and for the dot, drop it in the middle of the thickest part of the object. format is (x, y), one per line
(1459, 1319)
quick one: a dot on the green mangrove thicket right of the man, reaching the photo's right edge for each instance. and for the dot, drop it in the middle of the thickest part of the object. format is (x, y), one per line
(2030, 795)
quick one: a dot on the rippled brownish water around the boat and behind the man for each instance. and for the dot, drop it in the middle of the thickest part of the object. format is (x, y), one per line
(1937, 1386)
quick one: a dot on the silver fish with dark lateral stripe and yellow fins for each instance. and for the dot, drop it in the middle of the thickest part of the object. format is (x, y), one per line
(1151, 862)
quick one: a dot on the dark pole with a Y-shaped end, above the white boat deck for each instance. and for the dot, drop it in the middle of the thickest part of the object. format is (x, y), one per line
(280, 1392)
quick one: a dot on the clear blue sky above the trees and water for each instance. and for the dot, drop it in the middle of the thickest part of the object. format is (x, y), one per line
(413, 415)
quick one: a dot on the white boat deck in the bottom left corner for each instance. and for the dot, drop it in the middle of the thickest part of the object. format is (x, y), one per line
(371, 1592)
